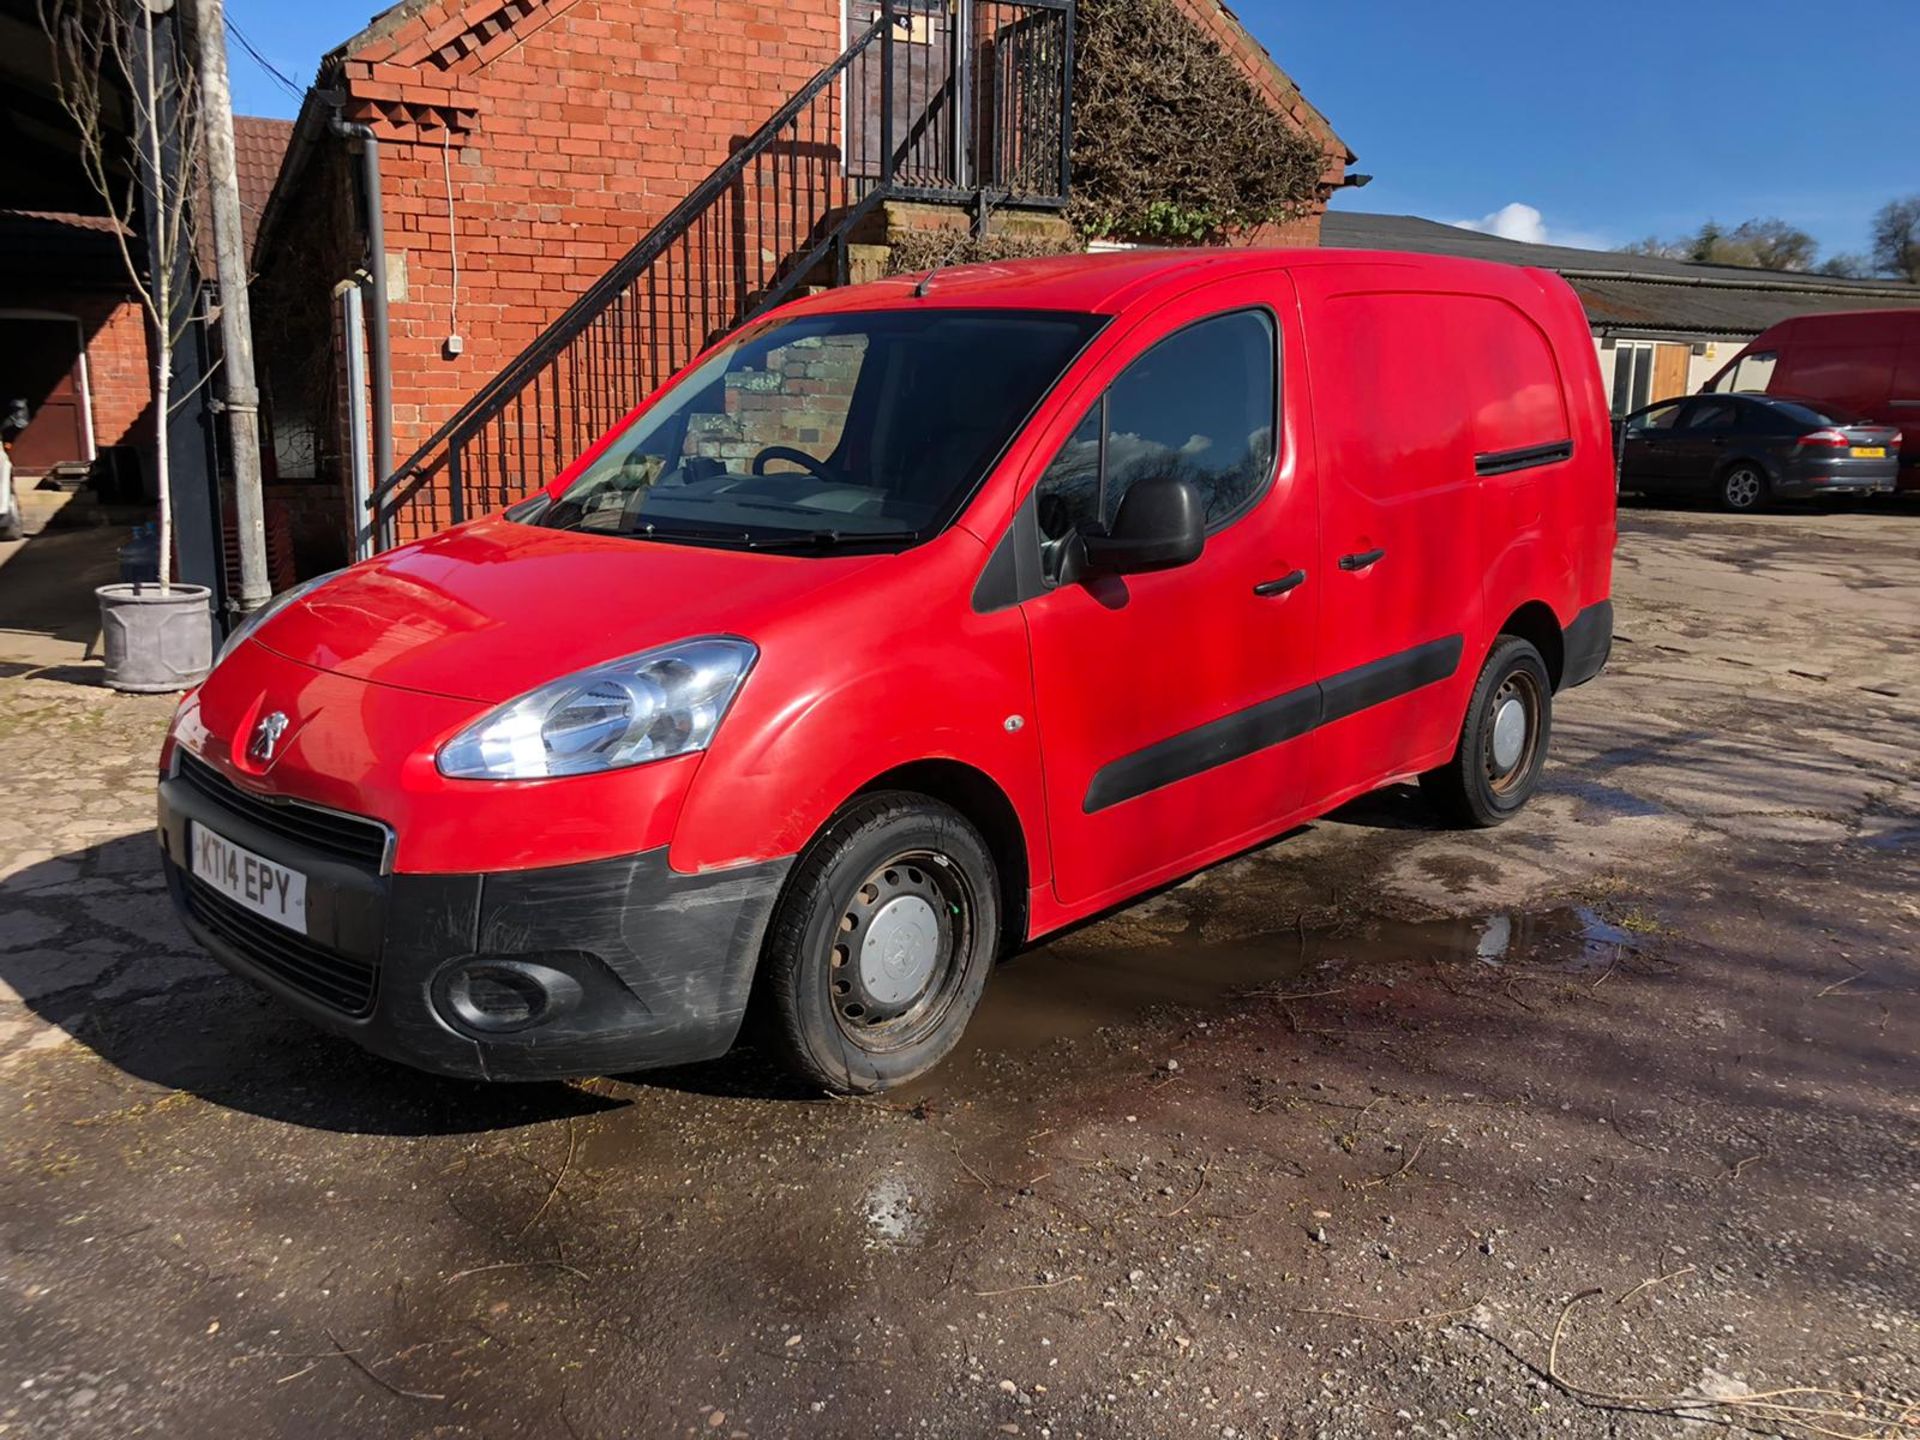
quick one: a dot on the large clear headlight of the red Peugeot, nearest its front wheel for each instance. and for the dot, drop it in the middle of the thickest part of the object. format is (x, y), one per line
(640, 709)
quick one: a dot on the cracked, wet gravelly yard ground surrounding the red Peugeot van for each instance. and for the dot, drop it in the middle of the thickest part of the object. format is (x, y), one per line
(1602, 1124)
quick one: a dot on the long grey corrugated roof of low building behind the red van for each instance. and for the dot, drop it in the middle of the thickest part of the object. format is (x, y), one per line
(1635, 293)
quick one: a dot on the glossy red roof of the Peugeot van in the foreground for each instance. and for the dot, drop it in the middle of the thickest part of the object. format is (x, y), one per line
(1109, 283)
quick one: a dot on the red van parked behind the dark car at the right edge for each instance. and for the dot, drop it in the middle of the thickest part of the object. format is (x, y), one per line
(1865, 362)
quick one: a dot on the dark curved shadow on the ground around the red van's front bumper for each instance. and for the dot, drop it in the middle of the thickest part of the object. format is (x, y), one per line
(93, 948)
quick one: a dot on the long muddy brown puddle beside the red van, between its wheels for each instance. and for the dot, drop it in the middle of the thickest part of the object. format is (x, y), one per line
(1076, 988)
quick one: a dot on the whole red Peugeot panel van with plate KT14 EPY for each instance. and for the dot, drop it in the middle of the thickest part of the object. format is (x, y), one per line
(903, 629)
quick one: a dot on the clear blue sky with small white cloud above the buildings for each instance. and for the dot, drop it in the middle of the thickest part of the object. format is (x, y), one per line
(1610, 120)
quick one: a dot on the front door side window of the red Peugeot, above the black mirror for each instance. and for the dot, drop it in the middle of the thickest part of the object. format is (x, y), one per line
(1199, 406)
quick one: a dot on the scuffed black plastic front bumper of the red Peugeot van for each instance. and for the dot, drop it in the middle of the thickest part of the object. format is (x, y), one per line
(656, 965)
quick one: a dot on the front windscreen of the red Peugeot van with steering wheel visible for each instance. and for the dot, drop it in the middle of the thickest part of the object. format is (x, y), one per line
(828, 431)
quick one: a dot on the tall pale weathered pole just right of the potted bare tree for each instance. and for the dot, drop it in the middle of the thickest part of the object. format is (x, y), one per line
(241, 391)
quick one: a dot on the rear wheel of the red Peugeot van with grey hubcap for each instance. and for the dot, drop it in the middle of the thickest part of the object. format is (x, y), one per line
(1502, 744)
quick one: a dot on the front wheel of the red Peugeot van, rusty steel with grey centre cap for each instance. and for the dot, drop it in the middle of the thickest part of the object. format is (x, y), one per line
(880, 948)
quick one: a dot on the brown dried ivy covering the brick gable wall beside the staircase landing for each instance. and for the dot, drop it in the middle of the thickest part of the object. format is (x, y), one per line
(1170, 137)
